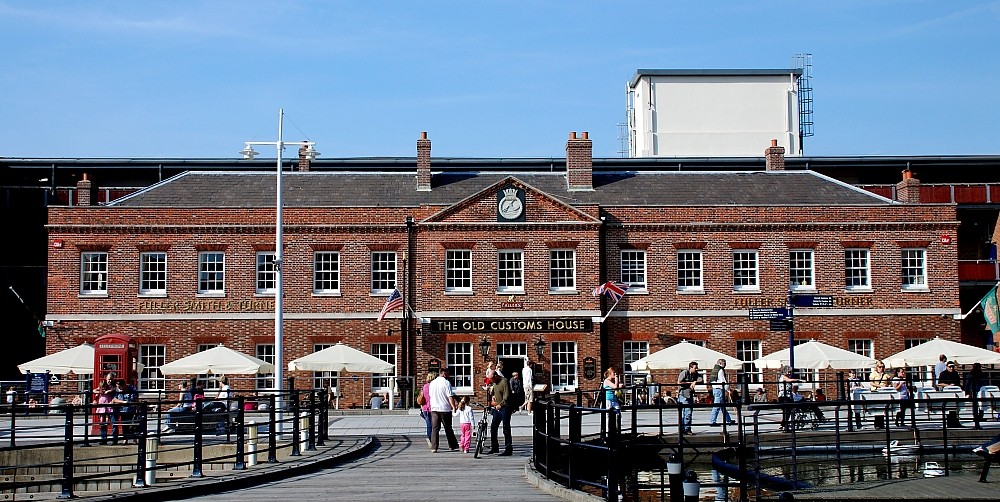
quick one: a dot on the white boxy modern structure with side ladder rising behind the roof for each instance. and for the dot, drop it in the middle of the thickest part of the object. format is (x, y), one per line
(717, 113)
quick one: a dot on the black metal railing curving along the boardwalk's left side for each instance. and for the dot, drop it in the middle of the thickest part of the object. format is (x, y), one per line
(60, 448)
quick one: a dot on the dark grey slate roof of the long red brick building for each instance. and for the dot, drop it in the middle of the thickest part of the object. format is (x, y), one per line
(228, 189)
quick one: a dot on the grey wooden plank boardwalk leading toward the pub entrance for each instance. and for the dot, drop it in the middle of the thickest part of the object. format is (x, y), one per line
(402, 468)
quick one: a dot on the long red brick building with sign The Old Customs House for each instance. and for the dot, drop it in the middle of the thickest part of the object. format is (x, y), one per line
(497, 254)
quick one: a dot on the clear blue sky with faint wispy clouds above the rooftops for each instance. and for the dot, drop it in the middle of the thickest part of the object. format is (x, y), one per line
(195, 79)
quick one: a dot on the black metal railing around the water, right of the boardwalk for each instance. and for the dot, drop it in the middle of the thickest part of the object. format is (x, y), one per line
(627, 452)
